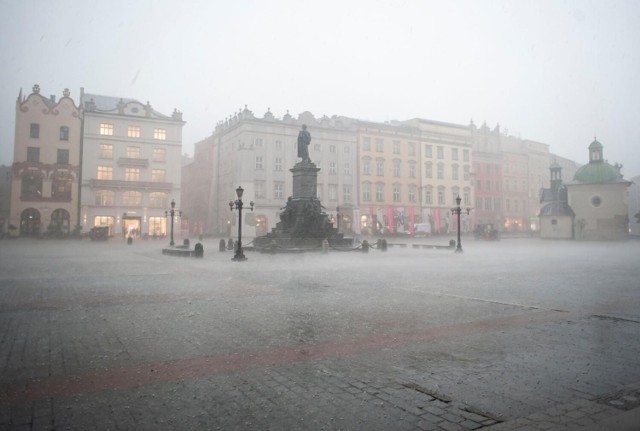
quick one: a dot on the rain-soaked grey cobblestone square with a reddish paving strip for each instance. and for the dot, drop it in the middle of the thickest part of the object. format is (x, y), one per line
(512, 335)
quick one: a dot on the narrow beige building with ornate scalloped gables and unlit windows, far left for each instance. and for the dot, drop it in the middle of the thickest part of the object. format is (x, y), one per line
(46, 167)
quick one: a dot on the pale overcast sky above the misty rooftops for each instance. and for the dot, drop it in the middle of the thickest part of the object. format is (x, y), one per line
(557, 72)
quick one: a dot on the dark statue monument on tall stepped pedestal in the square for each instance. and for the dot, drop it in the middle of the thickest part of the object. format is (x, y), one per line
(303, 224)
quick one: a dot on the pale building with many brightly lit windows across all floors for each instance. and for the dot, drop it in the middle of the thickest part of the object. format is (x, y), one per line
(131, 168)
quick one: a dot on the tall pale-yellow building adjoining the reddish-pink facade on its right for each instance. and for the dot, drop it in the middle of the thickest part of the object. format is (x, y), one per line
(446, 162)
